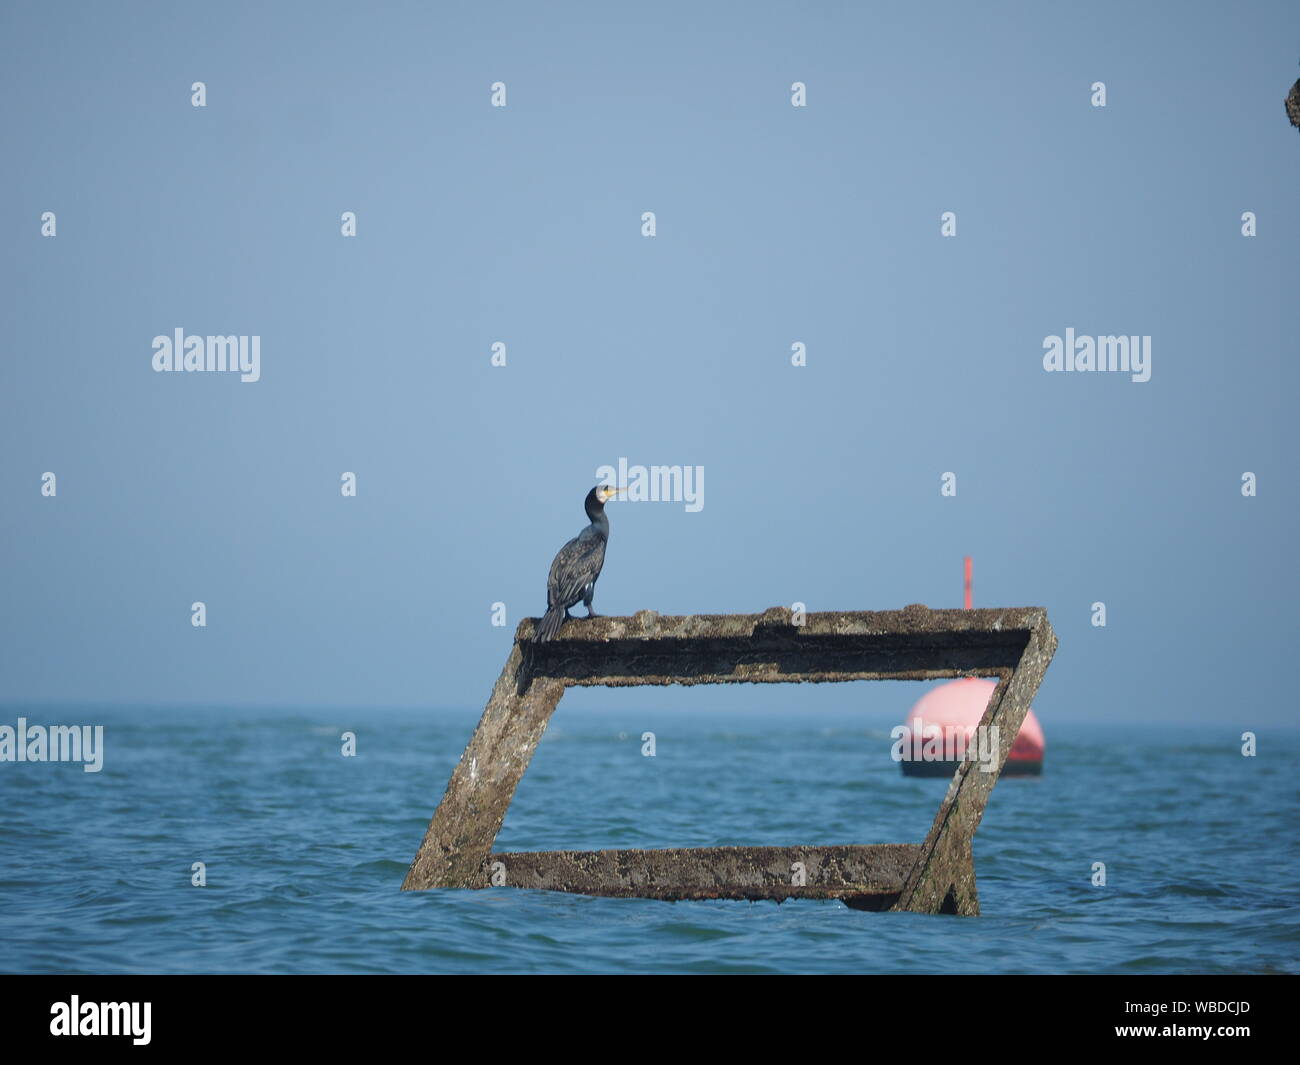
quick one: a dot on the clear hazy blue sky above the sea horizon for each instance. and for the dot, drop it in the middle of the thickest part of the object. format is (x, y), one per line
(774, 226)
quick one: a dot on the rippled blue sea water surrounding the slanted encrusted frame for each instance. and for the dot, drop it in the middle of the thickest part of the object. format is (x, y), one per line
(305, 850)
